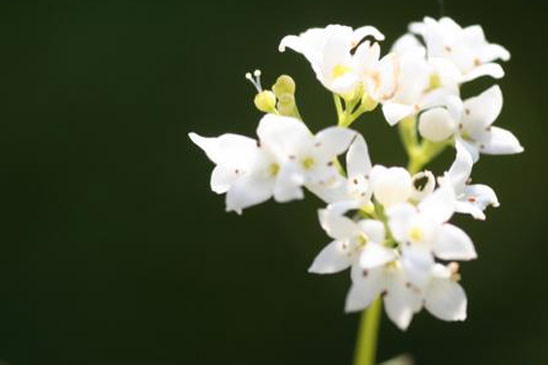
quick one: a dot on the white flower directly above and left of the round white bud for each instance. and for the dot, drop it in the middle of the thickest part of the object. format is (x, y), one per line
(421, 83)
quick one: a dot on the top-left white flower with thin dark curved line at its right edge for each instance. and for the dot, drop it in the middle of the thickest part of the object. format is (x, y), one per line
(329, 52)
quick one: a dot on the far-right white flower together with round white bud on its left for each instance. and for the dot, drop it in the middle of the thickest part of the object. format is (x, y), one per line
(471, 123)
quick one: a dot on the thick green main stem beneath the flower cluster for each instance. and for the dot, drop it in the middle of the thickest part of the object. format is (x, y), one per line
(366, 344)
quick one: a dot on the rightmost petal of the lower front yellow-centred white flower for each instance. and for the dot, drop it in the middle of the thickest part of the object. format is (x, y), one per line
(452, 243)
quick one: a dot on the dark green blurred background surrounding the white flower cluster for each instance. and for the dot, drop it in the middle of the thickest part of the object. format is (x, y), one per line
(113, 250)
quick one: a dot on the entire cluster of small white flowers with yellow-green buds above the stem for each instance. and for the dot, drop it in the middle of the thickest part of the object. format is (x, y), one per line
(388, 225)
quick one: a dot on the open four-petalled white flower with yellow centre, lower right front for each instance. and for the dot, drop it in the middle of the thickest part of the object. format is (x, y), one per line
(423, 233)
